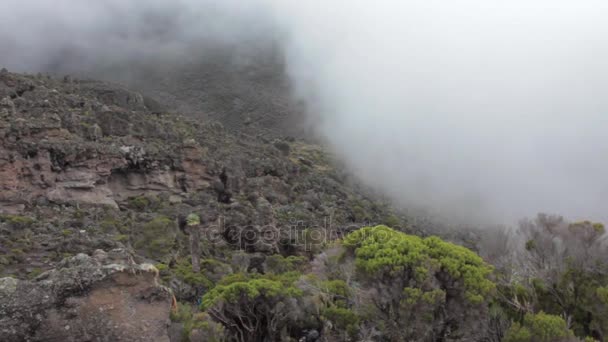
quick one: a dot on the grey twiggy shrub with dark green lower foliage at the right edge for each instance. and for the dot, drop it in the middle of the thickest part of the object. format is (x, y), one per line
(574, 287)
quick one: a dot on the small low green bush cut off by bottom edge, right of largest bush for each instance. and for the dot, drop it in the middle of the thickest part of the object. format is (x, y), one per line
(539, 327)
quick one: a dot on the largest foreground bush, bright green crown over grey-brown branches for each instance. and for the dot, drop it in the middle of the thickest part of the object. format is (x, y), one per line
(420, 288)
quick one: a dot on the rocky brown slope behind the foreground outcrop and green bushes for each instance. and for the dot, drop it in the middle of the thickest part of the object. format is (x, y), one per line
(88, 166)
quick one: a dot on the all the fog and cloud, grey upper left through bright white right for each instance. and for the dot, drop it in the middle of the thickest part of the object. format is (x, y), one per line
(476, 109)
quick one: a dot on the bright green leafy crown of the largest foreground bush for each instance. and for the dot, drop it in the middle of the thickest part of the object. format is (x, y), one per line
(383, 251)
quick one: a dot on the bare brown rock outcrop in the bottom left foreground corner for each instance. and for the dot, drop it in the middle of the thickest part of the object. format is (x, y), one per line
(105, 297)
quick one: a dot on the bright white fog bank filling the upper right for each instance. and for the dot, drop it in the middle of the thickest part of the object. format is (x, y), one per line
(476, 108)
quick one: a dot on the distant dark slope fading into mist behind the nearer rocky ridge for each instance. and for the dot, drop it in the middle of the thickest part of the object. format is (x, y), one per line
(244, 87)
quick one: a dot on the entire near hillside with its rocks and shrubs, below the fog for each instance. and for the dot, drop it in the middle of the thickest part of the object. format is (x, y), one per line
(123, 220)
